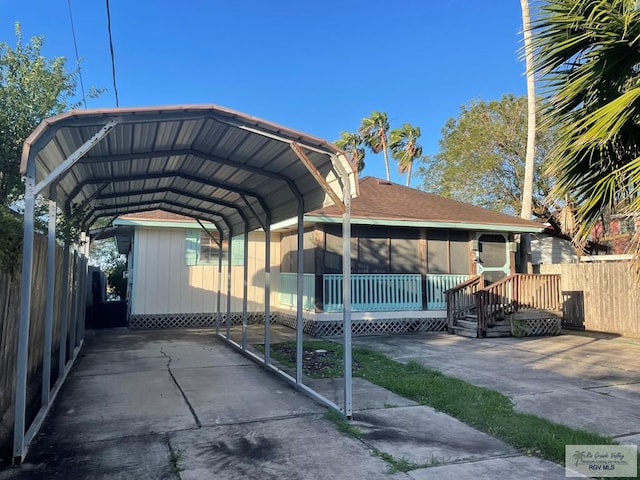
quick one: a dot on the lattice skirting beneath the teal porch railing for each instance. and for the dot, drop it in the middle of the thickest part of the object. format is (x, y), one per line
(333, 328)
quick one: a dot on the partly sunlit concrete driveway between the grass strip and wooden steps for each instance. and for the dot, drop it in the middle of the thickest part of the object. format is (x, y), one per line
(587, 381)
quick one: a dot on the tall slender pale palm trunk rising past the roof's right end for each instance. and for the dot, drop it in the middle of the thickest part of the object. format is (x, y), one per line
(527, 188)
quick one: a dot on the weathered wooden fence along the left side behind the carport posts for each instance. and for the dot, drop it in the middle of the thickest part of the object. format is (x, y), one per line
(9, 324)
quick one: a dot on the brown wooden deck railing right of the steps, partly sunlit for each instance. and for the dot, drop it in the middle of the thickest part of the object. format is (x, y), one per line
(514, 293)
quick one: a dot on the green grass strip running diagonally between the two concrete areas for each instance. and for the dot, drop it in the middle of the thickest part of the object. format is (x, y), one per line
(479, 407)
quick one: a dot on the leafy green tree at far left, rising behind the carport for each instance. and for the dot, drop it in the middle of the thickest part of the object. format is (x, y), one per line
(32, 88)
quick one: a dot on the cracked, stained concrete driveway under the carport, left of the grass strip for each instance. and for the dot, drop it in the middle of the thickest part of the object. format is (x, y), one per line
(182, 404)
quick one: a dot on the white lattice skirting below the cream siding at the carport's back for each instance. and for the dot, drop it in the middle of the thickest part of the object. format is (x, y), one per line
(183, 320)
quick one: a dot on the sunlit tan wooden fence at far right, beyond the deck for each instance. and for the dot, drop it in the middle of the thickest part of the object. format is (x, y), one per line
(599, 296)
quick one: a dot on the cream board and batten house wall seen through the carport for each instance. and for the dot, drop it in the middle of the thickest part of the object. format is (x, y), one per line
(163, 282)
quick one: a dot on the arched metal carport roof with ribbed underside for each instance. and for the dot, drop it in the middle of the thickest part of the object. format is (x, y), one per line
(202, 161)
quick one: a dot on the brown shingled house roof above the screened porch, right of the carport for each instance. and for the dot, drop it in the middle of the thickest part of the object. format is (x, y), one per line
(382, 202)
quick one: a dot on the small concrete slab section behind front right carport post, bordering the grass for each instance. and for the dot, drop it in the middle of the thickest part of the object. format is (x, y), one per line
(366, 395)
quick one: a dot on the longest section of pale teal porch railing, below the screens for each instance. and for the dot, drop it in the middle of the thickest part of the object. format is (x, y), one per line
(375, 292)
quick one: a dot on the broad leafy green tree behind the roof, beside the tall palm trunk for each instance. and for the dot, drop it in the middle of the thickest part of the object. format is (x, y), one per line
(482, 157)
